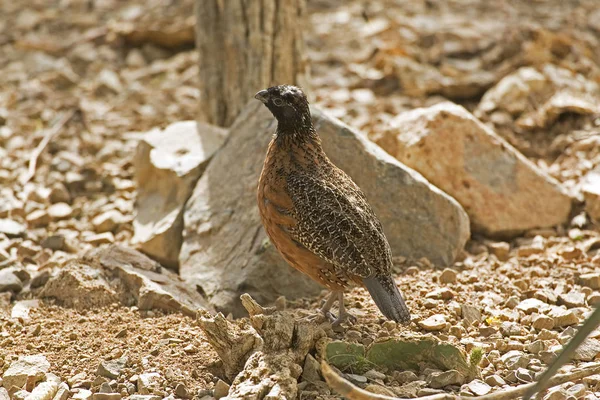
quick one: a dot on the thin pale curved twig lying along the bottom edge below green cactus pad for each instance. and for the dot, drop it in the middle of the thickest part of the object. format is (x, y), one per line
(352, 392)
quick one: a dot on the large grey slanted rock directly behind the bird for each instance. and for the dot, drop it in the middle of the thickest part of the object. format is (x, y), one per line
(225, 249)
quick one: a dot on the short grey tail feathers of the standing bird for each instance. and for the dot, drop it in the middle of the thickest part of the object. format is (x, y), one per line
(387, 297)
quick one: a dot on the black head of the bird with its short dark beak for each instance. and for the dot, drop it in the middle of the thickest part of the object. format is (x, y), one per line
(289, 106)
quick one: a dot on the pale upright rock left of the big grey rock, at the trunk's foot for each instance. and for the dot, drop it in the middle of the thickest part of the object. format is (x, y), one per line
(168, 164)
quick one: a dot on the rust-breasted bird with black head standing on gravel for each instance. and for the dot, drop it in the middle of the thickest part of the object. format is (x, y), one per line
(317, 217)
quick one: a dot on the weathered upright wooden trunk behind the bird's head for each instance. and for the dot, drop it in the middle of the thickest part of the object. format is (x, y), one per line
(246, 46)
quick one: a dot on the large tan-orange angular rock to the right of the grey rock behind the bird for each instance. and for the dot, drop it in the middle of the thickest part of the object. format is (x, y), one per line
(498, 187)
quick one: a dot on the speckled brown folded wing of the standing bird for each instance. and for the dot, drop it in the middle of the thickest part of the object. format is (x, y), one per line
(335, 222)
